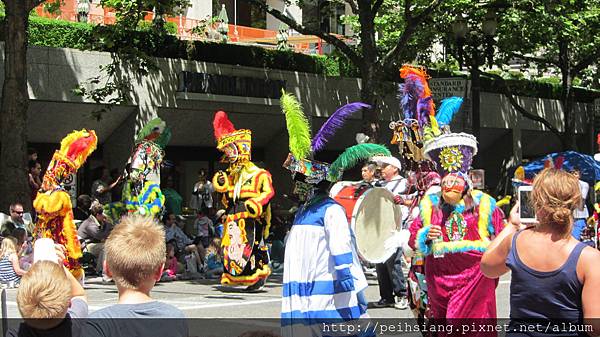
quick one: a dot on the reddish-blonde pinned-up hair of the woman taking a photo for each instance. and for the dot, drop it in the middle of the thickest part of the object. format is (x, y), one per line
(554, 196)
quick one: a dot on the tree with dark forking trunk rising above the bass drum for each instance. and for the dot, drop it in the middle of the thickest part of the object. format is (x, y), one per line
(387, 33)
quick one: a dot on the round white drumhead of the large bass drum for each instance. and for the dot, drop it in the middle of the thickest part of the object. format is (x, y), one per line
(374, 219)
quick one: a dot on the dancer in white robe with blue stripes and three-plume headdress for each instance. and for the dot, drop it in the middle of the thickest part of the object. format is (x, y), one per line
(323, 280)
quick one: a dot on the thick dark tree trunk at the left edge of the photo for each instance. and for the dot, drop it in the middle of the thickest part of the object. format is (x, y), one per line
(13, 110)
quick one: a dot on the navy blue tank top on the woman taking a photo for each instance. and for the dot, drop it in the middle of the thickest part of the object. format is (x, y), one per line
(552, 297)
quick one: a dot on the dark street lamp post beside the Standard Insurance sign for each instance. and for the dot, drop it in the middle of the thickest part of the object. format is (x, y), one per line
(470, 37)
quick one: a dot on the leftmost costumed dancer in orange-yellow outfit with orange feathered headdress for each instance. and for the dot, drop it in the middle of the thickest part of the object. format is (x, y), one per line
(53, 203)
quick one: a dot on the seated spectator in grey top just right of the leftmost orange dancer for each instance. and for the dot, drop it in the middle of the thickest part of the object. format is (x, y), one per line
(94, 230)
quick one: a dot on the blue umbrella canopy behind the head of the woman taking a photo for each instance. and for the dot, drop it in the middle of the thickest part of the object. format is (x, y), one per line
(587, 166)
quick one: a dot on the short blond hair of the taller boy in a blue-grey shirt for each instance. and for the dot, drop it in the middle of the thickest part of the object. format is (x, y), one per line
(135, 250)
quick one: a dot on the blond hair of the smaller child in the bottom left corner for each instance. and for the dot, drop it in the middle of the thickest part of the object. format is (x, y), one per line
(44, 292)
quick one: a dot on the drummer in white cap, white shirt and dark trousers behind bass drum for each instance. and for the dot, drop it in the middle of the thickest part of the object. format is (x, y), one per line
(389, 274)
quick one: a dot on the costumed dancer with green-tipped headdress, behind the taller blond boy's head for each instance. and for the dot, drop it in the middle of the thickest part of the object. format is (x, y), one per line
(141, 191)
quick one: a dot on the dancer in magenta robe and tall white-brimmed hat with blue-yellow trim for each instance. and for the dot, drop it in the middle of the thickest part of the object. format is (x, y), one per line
(453, 229)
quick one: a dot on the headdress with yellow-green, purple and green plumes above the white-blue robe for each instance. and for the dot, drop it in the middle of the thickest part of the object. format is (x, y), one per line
(302, 148)
